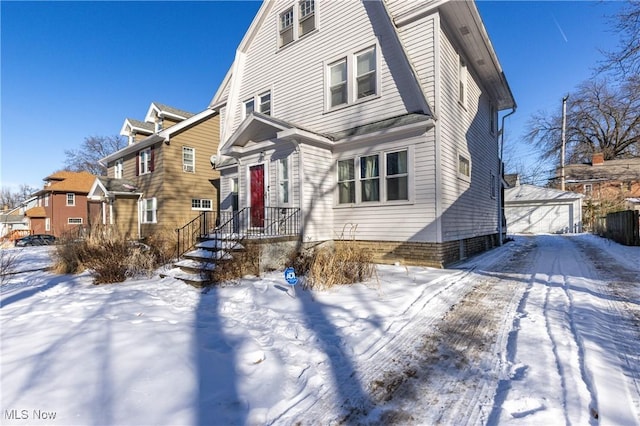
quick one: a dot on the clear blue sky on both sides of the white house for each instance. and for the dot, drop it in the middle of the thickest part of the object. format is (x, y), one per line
(75, 69)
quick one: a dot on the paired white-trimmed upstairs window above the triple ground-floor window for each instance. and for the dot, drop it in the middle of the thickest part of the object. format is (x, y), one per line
(352, 78)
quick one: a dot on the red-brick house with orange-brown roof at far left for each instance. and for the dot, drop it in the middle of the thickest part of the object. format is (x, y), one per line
(62, 204)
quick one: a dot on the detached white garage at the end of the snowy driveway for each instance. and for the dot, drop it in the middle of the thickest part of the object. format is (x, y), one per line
(536, 210)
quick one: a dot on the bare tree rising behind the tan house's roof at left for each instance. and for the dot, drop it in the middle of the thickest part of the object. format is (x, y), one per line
(91, 151)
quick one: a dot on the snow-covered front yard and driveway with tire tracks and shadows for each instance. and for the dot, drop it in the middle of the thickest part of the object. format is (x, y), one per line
(544, 330)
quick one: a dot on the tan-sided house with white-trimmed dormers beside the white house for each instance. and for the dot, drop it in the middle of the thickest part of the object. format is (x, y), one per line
(163, 178)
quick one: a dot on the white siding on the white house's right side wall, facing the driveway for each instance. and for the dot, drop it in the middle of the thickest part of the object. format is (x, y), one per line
(468, 152)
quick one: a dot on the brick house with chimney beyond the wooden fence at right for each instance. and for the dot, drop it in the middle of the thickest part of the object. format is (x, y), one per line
(608, 185)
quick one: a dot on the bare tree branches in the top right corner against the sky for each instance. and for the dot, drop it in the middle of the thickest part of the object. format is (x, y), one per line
(626, 59)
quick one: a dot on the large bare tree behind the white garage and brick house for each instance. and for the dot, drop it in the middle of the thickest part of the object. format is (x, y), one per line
(601, 117)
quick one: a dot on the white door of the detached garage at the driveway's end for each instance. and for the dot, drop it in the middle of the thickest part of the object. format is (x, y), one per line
(540, 219)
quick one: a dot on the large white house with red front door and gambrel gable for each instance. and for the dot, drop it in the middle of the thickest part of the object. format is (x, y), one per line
(376, 120)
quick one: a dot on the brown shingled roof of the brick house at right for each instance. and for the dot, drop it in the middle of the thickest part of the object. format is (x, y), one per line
(626, 169)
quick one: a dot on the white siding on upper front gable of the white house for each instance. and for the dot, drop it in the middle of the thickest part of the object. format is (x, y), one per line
(303, 100)
